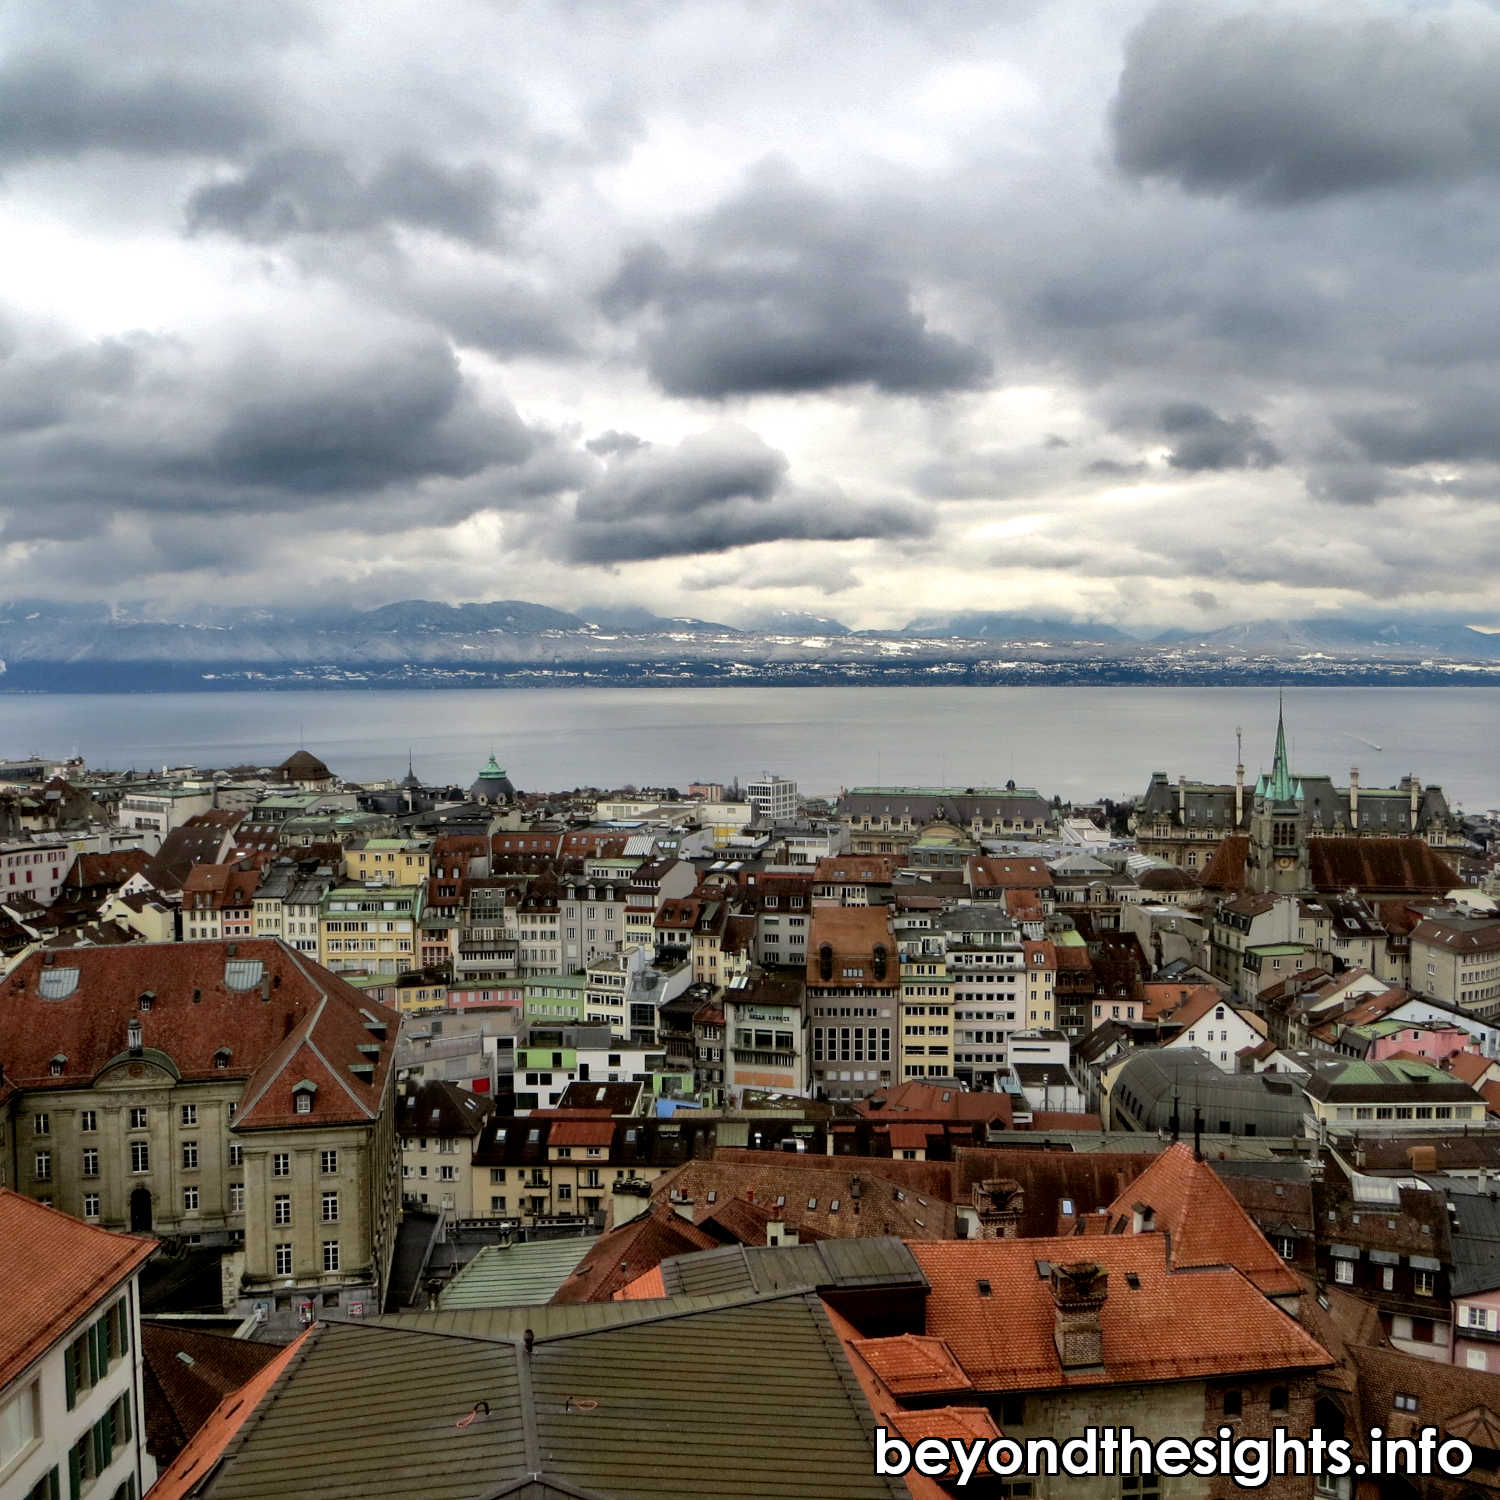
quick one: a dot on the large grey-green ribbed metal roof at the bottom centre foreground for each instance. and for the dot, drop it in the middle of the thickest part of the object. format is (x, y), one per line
(748, 1399)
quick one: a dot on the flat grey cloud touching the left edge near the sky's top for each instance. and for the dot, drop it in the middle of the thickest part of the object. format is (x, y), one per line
(55, 107)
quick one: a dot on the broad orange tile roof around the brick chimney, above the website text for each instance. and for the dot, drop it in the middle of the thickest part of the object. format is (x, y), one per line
(1159, 1324)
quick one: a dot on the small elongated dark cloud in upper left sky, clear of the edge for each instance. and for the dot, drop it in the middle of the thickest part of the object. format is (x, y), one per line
(308, 190)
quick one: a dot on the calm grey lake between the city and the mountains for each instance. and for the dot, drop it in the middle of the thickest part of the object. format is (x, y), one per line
(1073, 742)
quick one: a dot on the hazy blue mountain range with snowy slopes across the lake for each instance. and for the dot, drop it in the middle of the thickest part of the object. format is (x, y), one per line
(50, 646)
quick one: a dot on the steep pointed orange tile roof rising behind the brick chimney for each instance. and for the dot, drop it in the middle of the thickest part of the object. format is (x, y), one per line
(1205, 1222)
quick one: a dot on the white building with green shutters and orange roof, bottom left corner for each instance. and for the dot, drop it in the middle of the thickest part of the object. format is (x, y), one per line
(71, 1397)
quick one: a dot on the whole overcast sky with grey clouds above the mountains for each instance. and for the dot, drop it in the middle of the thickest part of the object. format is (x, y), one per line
(1150, 314)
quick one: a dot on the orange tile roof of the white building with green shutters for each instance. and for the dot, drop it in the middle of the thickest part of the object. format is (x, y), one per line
(55, 1271)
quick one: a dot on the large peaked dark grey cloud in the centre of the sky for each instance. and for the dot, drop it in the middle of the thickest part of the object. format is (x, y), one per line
(778, 296)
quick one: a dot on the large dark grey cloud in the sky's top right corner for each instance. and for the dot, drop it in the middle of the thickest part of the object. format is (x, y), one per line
(1286, 107)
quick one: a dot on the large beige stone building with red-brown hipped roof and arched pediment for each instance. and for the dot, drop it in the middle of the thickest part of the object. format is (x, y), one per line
(221, 1094)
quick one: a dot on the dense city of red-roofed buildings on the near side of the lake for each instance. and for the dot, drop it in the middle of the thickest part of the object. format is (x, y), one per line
(968, 1112)
